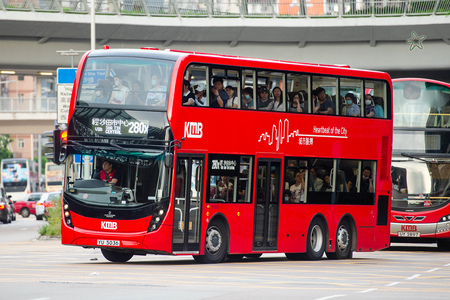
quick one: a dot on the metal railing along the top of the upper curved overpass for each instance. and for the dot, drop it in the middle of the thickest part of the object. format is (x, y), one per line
(236, 8)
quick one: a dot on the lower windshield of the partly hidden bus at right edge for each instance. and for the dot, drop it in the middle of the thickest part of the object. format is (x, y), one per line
(418, 185)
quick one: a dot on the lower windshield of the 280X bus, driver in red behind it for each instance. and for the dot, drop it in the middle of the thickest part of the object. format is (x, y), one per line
(141, 178)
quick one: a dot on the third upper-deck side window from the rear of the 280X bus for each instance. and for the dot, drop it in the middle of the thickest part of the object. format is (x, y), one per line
(329, 84)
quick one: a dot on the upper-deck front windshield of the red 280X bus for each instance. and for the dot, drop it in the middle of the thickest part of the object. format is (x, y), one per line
(131, 81)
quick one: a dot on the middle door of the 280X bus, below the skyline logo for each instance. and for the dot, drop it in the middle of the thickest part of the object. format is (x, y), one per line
(265, 234)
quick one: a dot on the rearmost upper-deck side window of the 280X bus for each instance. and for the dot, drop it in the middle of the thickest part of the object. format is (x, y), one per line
(375, 91)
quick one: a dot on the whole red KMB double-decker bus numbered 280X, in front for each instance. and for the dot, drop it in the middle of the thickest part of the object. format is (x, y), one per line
(247, 164)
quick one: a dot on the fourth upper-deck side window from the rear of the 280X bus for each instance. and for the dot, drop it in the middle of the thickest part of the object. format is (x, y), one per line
(298, 84)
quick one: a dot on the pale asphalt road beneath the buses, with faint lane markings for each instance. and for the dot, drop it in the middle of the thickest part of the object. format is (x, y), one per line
(41, 269)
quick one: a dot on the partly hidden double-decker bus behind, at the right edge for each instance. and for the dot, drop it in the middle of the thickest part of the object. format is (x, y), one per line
(421, 162)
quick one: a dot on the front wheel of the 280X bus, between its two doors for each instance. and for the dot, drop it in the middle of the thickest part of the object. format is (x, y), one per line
(215, 244)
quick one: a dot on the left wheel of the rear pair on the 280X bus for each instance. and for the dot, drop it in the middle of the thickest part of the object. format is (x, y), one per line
(316, 240)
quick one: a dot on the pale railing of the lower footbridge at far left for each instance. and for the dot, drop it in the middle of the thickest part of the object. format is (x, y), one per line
(29, 105)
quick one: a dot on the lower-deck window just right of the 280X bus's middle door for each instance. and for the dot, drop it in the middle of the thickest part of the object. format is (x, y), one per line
(295, 178)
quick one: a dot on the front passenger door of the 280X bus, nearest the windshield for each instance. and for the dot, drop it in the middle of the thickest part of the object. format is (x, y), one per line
(187, 207)
